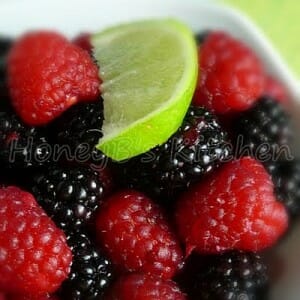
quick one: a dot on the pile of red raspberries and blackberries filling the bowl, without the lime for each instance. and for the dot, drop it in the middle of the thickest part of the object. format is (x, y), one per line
(192, 218)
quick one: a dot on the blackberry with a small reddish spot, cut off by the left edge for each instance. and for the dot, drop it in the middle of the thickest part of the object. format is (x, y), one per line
(21, 146)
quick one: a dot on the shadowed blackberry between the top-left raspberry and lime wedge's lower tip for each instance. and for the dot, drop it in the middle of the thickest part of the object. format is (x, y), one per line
(79, 128)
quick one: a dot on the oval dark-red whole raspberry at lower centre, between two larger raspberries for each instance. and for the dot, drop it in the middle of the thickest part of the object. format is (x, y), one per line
(136, 235)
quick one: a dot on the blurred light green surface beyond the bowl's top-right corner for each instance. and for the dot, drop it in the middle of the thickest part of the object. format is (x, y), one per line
(280, 20)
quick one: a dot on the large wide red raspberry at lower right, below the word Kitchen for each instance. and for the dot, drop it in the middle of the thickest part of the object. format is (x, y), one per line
(234, 208)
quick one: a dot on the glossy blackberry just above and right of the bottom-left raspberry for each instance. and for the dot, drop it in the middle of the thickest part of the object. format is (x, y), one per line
(70, 195)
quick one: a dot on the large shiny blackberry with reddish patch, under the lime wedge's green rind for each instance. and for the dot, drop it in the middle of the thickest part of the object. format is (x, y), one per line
(199, 146)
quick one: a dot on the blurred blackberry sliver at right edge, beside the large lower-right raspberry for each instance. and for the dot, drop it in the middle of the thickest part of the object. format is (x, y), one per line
(286, 178)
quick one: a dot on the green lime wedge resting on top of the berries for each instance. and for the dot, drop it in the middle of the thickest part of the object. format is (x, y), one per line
(149, 73)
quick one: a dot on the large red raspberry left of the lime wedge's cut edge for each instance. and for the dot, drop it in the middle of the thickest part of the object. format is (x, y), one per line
(47, 74)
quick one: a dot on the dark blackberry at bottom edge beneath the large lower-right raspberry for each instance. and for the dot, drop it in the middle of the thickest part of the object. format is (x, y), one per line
(231, 276)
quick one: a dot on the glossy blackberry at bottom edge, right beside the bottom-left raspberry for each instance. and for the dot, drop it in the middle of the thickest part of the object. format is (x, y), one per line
(91, 272)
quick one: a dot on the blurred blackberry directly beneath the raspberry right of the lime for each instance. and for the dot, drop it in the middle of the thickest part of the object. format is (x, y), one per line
(264, 128)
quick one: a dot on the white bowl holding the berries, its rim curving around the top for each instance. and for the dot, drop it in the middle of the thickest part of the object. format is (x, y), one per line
(72, 17)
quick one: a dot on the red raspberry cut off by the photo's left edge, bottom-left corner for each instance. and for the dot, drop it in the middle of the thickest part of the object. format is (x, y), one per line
(34, 256)
